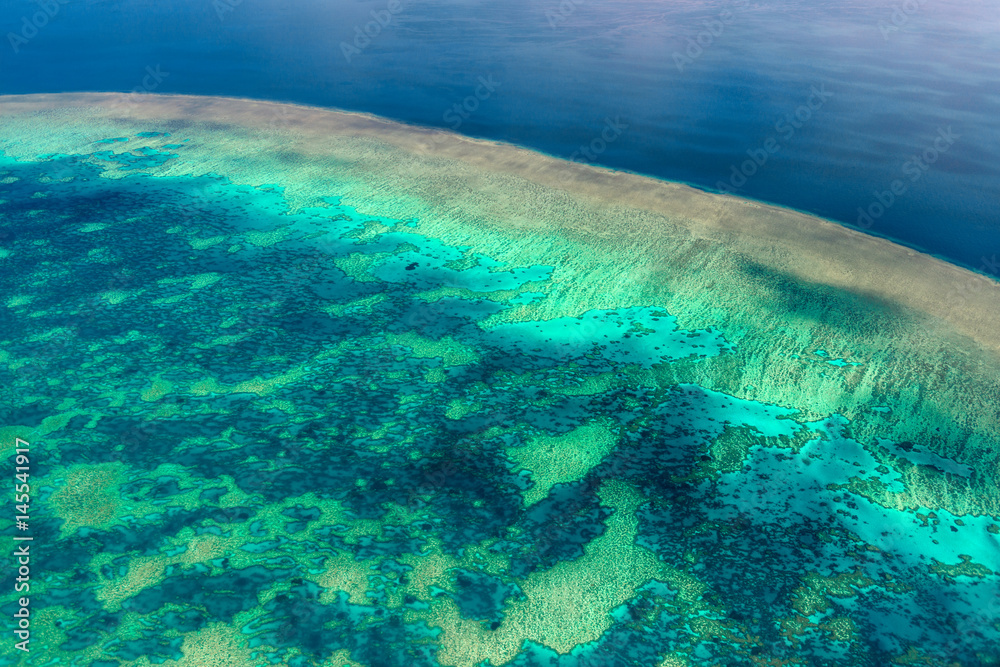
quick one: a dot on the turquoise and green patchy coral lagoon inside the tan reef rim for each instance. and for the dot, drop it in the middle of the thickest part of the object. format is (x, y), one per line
(273, 433)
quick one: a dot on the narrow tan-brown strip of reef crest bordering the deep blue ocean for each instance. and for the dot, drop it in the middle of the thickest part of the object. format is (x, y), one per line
(806, 247)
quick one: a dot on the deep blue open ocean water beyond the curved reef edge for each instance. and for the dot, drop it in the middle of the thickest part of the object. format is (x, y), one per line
(839, 101)
